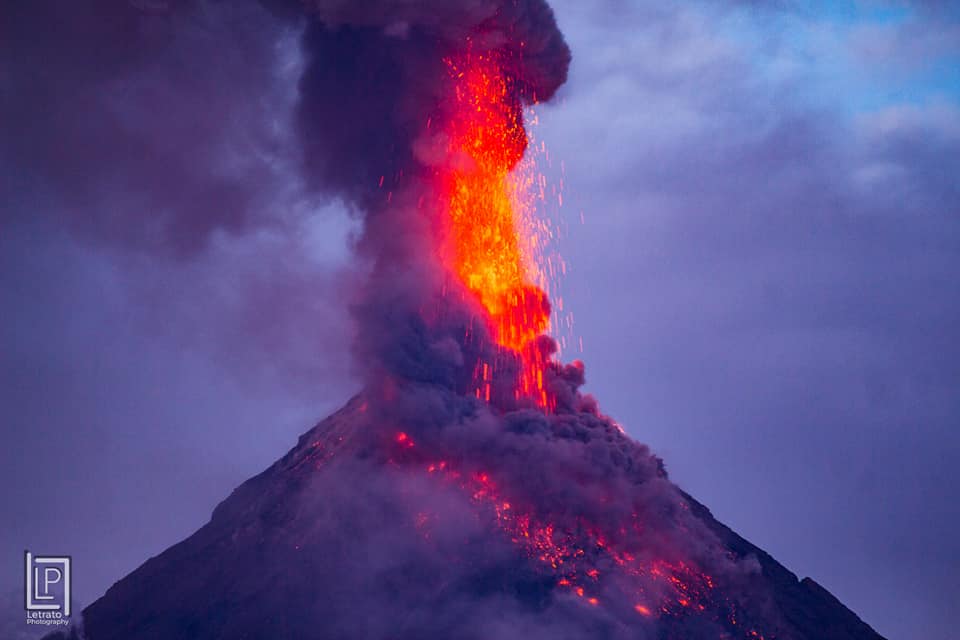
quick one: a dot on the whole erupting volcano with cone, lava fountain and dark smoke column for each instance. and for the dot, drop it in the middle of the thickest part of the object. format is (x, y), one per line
(470, 490)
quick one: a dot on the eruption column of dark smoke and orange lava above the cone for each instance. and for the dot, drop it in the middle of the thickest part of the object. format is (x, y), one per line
(413, 114)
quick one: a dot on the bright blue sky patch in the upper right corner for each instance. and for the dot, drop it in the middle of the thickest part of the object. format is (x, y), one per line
(860, 56)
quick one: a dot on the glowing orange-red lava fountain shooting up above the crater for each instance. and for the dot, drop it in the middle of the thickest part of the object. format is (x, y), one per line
(485, 247)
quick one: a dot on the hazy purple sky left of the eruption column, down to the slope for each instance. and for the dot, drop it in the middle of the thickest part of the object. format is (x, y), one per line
(170, 298)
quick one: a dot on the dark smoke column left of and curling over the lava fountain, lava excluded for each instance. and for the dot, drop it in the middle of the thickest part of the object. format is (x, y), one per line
(374, 77)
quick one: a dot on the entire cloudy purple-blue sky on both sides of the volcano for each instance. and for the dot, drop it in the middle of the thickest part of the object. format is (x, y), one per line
(761, 224)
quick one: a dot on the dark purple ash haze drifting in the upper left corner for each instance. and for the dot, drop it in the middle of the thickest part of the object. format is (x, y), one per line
(144, 126)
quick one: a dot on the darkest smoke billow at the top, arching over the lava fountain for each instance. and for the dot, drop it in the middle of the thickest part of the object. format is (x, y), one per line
(374, 76)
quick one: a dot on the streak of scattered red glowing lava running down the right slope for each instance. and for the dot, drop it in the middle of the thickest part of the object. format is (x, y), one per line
(601, 568)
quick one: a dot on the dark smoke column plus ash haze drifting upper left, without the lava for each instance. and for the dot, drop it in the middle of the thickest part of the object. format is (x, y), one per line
(159, 127)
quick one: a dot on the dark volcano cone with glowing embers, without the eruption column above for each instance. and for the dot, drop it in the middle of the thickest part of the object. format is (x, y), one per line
(466, 525)
